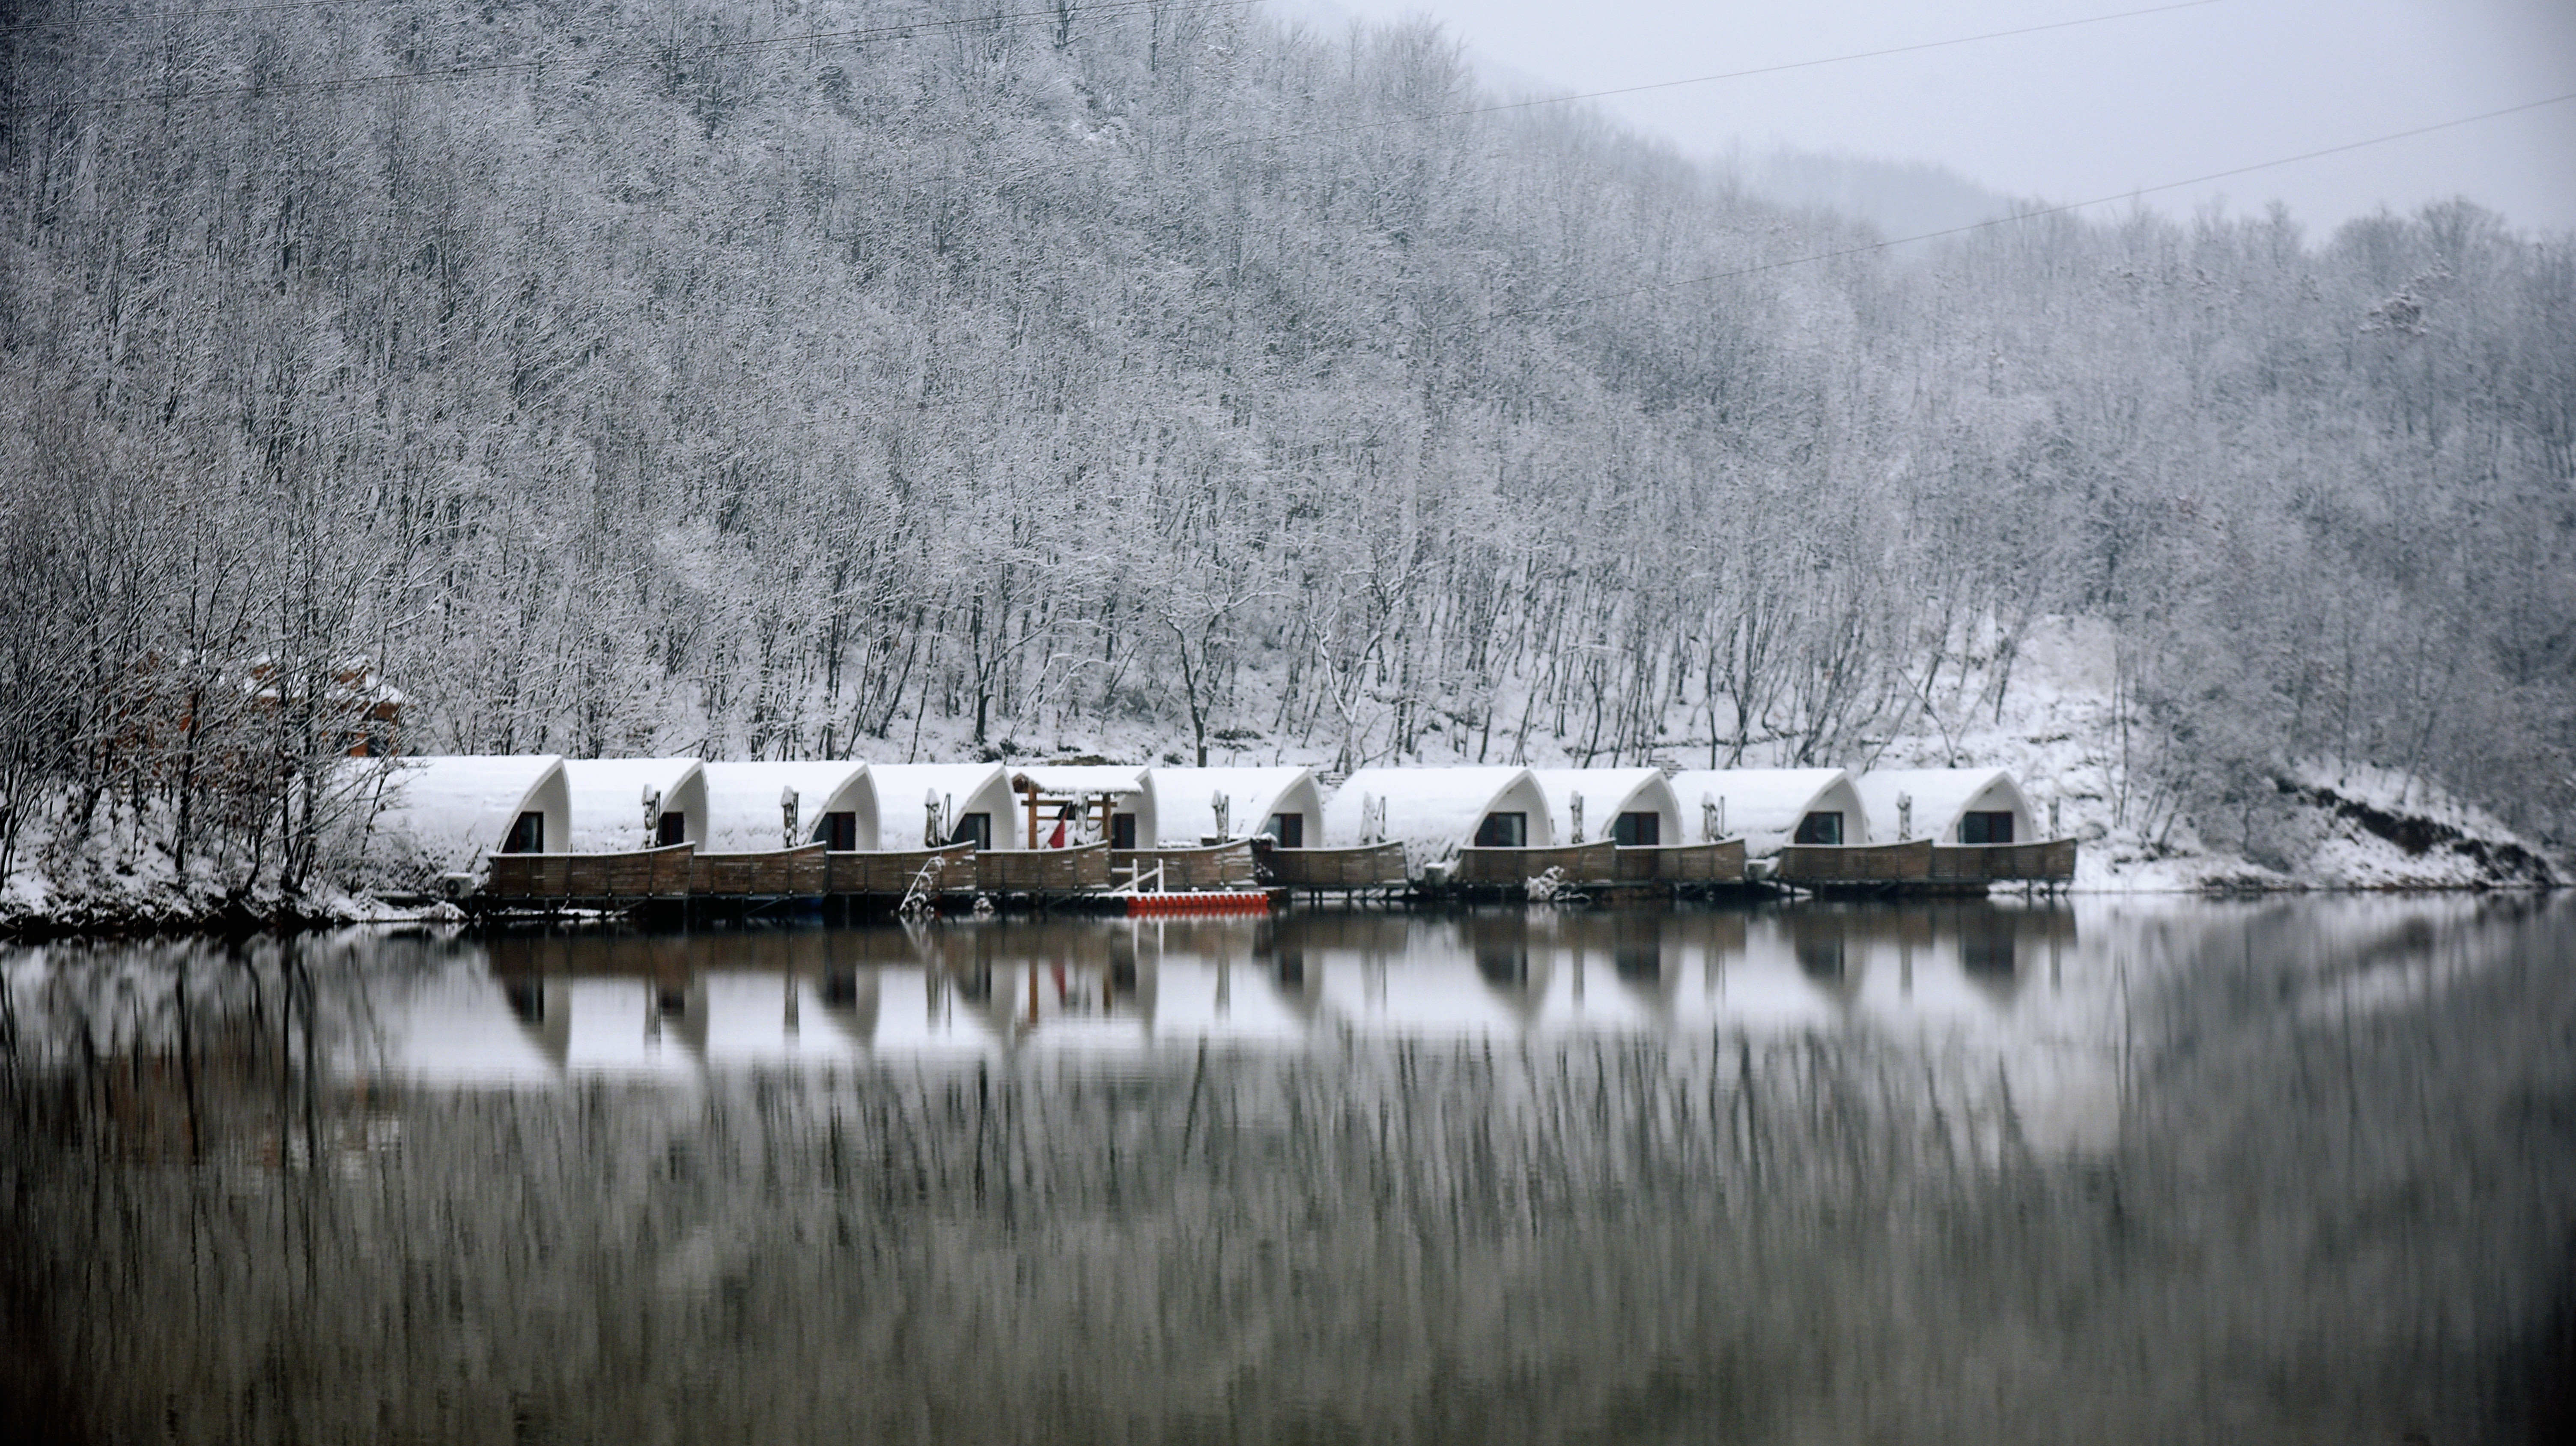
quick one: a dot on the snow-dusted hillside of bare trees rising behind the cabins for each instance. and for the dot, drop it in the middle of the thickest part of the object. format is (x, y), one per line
(862, 380)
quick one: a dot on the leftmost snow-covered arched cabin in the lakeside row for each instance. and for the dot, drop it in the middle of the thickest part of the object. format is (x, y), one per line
(450, 813)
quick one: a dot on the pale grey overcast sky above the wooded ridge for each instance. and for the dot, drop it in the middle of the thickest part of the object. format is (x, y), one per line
(2093, 110)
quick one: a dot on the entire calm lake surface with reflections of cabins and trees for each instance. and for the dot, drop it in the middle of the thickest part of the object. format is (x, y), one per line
(2101, 1171)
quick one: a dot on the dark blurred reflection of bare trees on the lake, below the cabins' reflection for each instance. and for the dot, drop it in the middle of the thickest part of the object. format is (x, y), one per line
(2302, 1233)
